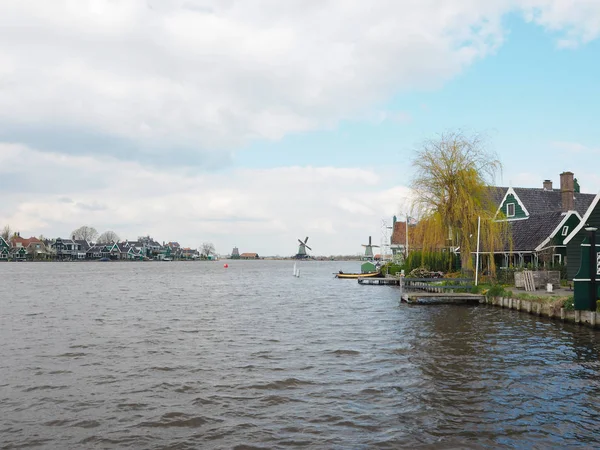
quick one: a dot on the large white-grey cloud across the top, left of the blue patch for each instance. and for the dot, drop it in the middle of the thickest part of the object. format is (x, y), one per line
(212, 74)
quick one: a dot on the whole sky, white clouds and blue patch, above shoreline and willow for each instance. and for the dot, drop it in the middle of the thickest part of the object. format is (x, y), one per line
(253, 123)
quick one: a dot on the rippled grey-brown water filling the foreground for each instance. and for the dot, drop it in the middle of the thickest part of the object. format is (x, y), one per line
(192, 355)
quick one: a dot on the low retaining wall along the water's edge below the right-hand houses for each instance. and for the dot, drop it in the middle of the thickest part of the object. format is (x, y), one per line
(550, 310)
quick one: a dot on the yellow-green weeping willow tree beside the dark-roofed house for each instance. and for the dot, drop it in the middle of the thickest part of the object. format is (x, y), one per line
(451, 189)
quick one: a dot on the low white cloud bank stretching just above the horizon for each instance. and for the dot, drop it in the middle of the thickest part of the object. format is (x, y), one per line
(262, 210)
